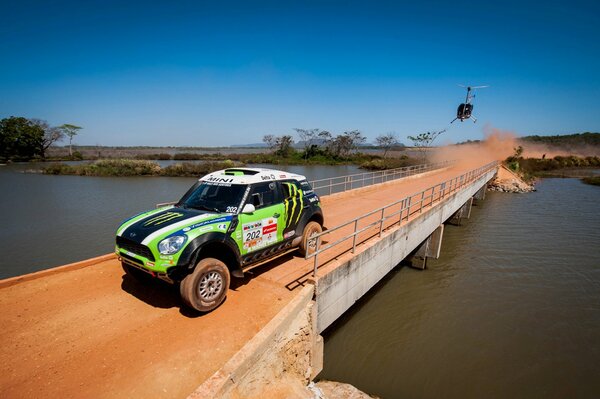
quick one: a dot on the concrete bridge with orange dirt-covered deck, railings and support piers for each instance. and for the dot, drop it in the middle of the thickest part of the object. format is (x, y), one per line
(86, 330)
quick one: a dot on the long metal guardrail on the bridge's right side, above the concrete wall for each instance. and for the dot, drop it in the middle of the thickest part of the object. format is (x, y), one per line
(408, 207)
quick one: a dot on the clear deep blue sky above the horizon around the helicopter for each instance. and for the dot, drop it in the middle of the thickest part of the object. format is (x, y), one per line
(201, 73)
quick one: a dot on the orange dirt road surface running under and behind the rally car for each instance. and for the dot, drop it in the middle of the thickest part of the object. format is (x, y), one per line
(93, 332)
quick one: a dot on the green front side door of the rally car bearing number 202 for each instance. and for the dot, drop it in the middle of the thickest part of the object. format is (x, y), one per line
(263, 227)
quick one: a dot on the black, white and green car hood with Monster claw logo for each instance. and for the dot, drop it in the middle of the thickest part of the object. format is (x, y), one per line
(161, 222)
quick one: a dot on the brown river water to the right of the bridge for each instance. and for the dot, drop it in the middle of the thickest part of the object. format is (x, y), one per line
(510, 310)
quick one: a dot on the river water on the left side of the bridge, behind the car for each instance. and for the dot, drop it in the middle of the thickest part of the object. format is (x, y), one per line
(49, 221)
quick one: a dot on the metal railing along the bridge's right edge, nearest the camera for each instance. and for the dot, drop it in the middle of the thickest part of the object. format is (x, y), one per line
(373, 223)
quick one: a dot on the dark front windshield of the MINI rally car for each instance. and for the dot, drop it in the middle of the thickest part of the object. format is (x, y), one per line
(213, 197)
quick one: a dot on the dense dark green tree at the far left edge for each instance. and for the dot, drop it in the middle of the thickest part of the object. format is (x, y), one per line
(20, 139)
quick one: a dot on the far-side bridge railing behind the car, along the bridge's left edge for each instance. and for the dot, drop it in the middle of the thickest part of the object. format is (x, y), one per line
(340, 184)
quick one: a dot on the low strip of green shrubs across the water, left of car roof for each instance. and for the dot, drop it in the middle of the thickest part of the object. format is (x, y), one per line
(132, 167)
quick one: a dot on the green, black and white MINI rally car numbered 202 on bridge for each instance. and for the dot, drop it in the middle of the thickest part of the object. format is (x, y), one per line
(228, 221)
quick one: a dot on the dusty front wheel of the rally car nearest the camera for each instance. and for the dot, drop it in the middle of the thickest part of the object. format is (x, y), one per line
(206, 288)
